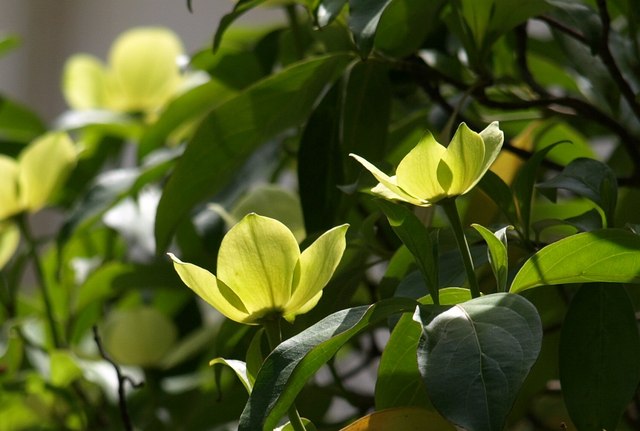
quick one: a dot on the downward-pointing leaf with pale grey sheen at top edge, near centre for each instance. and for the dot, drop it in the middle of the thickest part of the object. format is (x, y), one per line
(363, 22)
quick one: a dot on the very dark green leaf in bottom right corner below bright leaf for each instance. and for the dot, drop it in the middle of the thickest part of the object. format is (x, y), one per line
(599, 356)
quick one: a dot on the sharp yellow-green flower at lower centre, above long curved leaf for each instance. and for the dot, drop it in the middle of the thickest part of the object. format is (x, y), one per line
(263, 274)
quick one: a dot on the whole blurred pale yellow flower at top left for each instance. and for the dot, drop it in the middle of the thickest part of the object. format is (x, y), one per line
(142, 75)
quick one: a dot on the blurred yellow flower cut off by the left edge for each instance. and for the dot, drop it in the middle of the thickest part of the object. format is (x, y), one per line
(28, 183)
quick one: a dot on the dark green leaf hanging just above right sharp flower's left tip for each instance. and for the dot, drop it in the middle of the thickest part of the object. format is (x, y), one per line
(365, 113)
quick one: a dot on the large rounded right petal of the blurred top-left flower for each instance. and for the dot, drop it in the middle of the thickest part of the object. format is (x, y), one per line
(144, 70)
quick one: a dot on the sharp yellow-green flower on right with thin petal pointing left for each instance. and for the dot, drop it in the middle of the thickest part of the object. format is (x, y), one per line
(432, 172)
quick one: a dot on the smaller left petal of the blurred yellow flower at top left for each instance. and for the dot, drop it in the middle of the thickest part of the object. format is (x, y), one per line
(84, 82)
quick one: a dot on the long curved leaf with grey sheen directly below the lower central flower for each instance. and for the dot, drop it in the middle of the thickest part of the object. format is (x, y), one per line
(293, 362)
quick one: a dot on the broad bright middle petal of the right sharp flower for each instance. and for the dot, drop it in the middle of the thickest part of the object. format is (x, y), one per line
(417, 171)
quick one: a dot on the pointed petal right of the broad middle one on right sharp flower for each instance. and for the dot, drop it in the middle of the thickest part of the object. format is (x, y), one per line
(463, 158)
